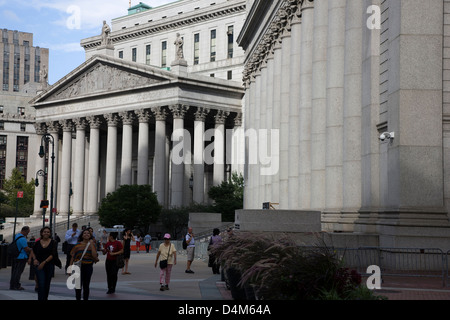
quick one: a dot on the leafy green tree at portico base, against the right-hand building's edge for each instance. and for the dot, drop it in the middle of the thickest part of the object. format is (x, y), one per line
(228, 197)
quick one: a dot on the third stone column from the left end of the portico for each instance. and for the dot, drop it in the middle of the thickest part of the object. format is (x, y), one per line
(66, 166)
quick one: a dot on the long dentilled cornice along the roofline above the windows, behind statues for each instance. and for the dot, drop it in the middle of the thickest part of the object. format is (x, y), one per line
(167, 24)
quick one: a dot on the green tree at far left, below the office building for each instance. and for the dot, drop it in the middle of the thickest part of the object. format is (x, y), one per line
(11, 186)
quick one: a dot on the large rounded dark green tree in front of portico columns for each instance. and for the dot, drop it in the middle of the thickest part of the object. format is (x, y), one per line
(131, 206)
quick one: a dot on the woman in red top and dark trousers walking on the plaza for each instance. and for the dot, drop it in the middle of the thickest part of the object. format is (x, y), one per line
(112, 249)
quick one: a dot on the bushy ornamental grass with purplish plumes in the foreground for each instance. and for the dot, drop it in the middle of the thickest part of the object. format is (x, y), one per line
(277, 268)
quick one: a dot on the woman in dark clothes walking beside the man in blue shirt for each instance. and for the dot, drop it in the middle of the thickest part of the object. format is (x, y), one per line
(45, 252)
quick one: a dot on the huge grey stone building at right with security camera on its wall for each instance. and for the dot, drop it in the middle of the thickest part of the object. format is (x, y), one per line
(335, 76)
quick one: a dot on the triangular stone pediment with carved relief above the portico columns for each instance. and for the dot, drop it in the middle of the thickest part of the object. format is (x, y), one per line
(104, 75)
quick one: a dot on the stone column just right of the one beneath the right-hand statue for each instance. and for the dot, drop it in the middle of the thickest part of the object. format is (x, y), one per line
(199, 166)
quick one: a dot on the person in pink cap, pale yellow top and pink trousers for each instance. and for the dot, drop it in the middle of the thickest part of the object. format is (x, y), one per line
(168, 253)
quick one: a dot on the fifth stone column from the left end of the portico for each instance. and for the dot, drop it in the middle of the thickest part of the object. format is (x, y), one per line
(94, 158)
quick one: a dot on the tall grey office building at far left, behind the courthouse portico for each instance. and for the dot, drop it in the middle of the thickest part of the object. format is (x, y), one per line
(22, 69)
